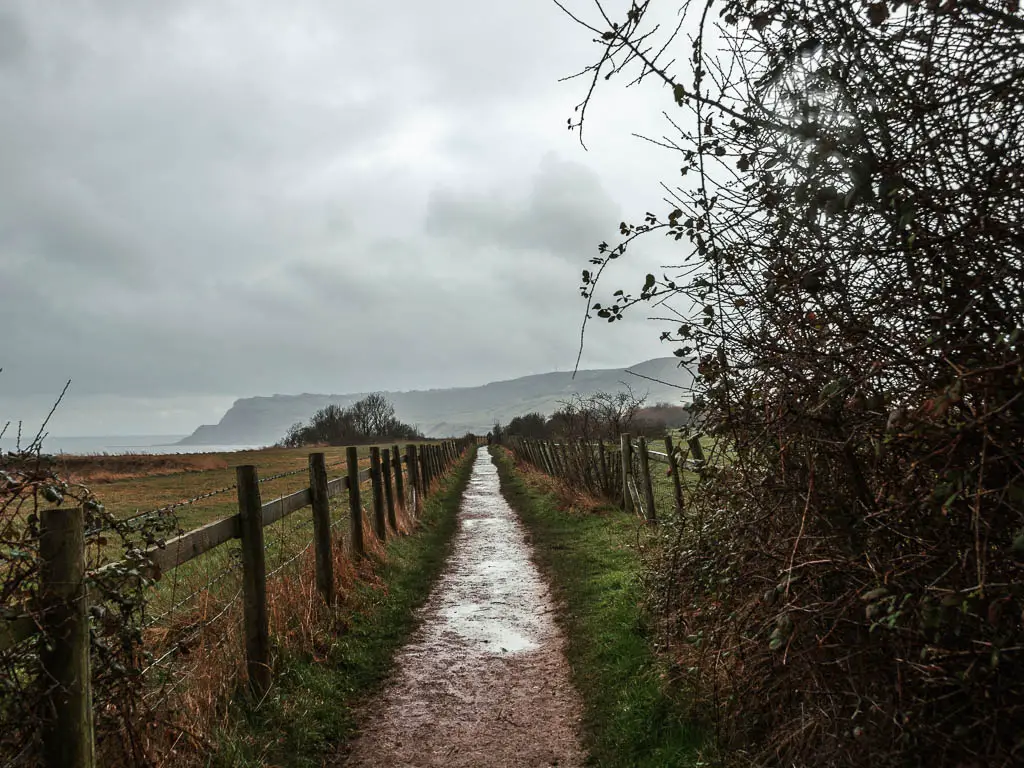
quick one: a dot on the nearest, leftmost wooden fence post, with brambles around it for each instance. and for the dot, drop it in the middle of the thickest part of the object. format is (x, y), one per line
(68, 738)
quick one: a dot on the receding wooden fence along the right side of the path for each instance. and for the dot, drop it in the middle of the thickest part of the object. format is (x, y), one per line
(620, 474)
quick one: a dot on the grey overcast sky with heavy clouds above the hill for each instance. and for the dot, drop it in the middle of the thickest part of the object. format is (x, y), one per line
(205, 200)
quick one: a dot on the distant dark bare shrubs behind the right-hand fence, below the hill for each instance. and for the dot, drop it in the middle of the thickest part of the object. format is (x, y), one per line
(602, 416)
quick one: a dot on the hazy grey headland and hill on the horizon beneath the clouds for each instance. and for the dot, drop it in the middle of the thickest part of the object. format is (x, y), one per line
(443, 413)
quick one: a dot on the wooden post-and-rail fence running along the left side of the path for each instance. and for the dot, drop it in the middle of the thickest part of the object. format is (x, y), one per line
(68, 739)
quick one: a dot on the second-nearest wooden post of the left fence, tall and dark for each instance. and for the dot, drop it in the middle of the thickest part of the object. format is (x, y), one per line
(258, 628)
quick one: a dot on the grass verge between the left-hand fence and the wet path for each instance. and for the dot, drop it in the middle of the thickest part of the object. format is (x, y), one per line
(314, 707)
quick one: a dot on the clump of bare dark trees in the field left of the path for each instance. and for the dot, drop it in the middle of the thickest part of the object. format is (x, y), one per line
(365, 421)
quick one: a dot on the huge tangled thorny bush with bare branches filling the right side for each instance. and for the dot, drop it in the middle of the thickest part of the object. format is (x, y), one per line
(847, 588)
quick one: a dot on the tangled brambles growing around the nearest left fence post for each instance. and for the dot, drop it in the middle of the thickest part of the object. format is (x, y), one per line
(31, 483)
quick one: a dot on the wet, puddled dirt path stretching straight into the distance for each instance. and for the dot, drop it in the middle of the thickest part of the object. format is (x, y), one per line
(485, 681)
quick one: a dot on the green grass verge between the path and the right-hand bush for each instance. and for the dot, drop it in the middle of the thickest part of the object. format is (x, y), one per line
(630, 717)
